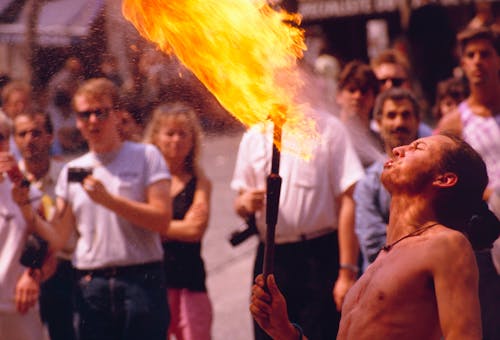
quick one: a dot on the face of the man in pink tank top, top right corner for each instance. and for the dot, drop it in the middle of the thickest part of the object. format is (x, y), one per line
(480, 62)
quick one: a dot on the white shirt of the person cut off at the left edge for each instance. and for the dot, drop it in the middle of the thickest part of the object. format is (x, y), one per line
(13, 233)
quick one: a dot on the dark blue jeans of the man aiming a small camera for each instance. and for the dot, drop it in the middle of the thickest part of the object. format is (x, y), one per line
(129, 303)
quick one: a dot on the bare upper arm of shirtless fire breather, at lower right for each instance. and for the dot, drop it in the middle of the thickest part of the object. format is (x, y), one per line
(455, 276)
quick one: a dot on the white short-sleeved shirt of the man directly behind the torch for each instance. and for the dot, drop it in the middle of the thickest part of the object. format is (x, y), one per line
(309, 188)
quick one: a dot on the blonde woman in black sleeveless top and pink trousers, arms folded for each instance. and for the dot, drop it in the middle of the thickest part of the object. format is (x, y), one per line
(175, 130)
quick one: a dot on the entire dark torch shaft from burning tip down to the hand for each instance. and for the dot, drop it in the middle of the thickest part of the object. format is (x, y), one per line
(272, 204)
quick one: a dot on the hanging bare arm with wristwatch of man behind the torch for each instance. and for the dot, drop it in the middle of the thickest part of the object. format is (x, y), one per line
(348, 247)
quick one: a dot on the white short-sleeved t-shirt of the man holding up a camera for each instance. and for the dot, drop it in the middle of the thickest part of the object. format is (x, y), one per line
(105, 239)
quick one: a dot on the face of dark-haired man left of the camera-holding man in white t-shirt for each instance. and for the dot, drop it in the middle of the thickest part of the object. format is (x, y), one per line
(31, 137)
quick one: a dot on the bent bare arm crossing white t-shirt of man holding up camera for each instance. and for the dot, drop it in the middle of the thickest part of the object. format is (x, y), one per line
(153, 214)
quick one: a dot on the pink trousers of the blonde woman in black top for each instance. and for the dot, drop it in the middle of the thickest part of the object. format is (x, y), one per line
(191, 315)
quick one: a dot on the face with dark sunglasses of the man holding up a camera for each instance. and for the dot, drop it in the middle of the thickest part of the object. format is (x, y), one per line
(95, 119)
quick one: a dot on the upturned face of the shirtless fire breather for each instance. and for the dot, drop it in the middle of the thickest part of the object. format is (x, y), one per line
(413, 167)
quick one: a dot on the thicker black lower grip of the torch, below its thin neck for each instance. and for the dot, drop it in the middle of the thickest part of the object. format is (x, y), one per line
(272, 206)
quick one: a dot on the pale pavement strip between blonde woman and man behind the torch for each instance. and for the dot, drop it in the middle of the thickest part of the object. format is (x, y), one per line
(229, 270)
